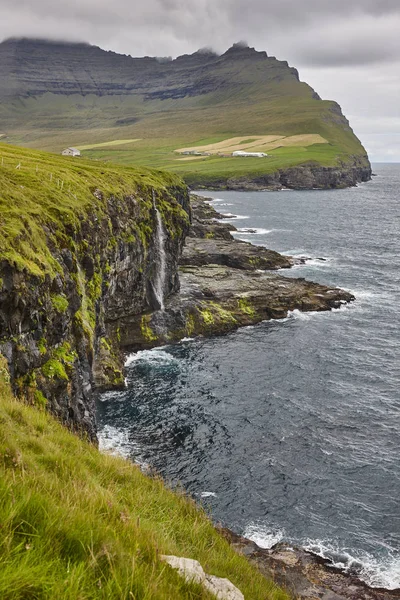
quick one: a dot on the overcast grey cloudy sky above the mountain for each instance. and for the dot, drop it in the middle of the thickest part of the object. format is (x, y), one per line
(347, 50)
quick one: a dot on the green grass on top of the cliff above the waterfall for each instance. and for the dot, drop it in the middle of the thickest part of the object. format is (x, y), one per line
(38, 190)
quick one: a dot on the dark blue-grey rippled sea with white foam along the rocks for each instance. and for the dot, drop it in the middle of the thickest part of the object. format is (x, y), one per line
(290, 429)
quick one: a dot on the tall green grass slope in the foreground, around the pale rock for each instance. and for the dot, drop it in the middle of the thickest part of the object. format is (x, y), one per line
(77, 524)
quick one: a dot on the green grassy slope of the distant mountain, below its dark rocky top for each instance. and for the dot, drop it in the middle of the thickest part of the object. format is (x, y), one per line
(254, 98)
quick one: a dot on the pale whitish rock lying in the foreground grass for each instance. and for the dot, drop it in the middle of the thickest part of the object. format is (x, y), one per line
(191, 570)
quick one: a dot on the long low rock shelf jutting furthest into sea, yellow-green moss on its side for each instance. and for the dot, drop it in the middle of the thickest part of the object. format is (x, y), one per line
(215, 300)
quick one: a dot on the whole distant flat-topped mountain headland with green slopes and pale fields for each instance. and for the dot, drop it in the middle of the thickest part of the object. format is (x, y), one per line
(186, 115)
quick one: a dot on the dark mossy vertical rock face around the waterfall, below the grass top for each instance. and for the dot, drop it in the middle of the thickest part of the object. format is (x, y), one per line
(57, 333)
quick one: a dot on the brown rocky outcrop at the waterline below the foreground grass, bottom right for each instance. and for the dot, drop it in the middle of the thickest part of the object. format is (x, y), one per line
(304, 575)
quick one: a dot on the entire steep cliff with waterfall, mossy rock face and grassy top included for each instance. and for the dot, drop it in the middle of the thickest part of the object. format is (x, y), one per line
(56, 314)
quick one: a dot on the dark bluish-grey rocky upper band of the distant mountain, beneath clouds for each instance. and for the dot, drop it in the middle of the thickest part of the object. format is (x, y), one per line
(30, 67)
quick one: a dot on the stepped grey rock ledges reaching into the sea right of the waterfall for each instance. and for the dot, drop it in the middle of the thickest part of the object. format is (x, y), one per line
(224, 284)
